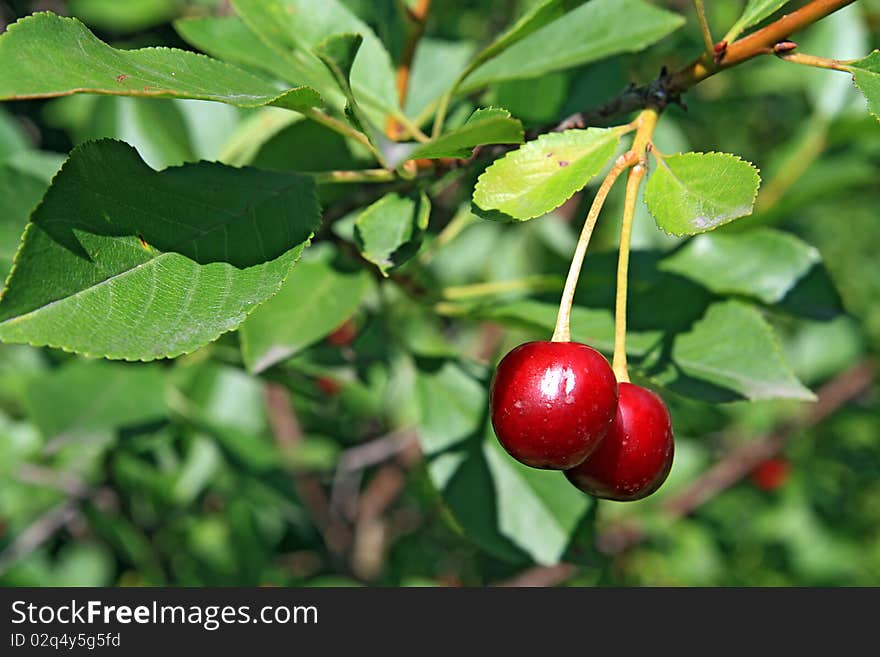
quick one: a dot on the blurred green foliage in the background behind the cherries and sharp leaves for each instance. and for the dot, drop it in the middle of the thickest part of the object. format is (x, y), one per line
(197, 472)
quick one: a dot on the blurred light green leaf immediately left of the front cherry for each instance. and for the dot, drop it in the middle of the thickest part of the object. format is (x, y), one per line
(452, 405)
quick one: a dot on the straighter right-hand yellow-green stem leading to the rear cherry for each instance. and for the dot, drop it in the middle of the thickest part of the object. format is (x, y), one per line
(647, 124)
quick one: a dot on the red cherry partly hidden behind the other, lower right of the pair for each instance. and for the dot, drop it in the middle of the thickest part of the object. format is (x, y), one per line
(635, 457)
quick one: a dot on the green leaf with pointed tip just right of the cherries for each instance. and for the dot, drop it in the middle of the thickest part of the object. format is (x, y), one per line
(733, 348)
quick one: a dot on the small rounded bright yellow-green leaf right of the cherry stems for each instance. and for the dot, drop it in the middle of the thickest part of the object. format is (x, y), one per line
(692, 193)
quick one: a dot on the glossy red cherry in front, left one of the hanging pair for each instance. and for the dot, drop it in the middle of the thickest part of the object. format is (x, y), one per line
(552, 402)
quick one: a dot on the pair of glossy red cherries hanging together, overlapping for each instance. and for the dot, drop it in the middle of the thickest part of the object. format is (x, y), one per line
(558, 406)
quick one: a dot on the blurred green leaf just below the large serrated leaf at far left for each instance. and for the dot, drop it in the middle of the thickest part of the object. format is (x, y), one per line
(87, 396)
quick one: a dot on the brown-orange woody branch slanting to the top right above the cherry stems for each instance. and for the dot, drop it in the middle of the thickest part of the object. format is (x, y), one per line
(668, 88)
